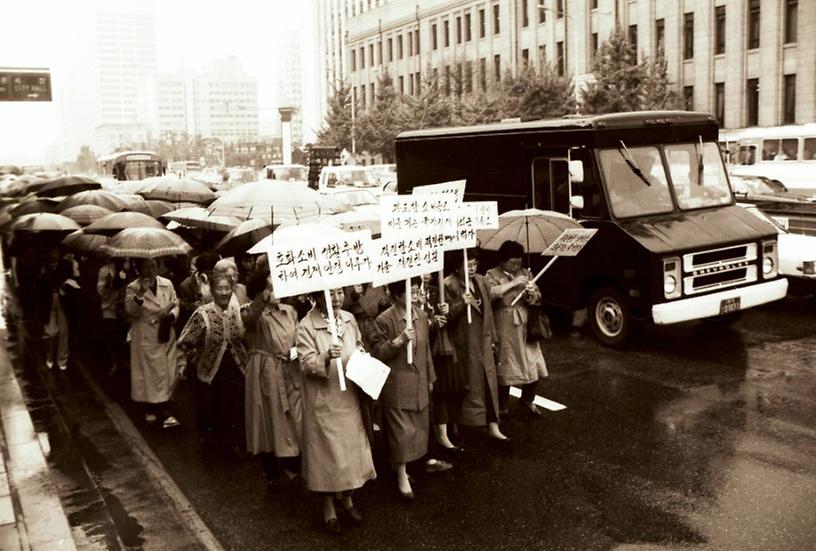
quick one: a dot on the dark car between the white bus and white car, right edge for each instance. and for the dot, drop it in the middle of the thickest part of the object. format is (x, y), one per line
(796, 212)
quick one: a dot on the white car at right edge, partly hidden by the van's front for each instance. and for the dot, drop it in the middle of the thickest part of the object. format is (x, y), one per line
(797, 255)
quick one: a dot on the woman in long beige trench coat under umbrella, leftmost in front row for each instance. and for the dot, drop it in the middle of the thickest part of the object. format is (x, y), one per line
(150, 302)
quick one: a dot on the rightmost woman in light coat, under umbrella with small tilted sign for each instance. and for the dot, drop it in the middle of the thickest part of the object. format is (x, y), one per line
(518, 359)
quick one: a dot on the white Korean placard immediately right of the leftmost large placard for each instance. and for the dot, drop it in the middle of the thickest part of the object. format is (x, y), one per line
(405, 256)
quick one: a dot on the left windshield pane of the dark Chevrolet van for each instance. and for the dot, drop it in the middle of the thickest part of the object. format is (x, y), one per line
(636, 181)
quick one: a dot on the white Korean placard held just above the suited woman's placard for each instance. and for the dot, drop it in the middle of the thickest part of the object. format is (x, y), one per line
(417, 213)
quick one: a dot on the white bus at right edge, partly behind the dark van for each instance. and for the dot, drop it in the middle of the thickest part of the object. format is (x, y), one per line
(783, 153)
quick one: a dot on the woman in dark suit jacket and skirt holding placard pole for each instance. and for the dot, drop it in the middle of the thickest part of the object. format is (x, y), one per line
(405, 397)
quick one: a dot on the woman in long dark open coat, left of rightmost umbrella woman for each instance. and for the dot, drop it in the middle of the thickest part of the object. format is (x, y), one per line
(474, 343)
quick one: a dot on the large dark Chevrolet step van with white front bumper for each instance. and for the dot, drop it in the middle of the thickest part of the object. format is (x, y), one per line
(671, 244)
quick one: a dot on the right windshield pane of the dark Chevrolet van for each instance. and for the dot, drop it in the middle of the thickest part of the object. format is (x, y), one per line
(697, 187)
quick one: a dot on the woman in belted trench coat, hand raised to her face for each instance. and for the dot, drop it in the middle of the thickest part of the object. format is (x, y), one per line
(273, 381)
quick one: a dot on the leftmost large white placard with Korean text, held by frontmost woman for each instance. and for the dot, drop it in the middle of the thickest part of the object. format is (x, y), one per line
(323, 262)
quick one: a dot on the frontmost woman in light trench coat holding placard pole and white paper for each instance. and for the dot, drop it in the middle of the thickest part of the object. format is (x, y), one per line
(336, 452)
